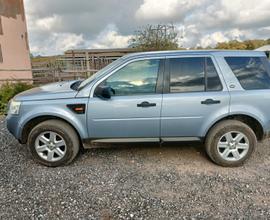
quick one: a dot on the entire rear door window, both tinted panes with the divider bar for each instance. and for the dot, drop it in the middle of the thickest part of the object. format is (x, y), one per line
(193, 74)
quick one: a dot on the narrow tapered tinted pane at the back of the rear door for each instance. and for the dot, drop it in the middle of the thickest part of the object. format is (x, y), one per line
(213, 81)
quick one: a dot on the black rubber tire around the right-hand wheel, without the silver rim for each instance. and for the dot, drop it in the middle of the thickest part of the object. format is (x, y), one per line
(220, 129)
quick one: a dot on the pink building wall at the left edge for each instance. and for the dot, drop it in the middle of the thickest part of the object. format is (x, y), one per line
(14, 49)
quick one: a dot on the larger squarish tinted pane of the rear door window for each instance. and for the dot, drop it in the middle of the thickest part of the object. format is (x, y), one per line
(187, 74)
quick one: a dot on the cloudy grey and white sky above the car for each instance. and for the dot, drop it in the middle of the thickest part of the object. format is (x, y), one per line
(55, 26)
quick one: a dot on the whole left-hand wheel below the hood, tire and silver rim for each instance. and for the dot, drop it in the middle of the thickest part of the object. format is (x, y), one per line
(53, 143)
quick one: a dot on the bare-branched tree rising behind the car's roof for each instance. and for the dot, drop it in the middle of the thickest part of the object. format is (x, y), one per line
(155, 37)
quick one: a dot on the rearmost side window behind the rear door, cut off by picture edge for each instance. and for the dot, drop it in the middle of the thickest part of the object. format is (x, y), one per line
(252, 72)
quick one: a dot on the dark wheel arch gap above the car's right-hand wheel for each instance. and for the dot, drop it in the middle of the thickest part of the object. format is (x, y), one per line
(254, 123)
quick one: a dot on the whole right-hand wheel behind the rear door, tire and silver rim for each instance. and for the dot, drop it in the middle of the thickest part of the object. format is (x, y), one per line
(230, 143)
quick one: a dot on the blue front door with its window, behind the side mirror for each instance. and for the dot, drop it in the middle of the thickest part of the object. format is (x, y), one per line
(134, 110)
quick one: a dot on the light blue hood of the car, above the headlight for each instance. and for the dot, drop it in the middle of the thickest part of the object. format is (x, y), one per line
(59, 90)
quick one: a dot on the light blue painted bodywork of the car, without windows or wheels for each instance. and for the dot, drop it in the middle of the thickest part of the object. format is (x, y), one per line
(178, 115)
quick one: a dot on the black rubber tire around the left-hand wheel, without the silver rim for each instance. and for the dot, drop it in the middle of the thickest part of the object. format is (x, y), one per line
(66, 131)
